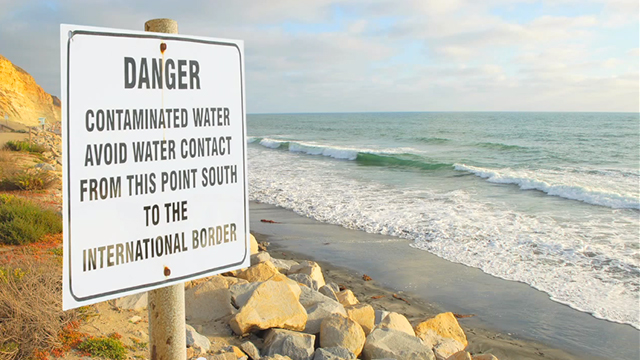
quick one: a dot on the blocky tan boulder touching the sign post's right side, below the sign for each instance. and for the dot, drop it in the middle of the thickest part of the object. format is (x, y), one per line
(208, 301)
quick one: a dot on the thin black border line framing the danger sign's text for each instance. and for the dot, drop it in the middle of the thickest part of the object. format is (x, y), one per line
(159, 36)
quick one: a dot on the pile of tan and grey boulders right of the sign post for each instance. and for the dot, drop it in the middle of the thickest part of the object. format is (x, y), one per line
(285, 310)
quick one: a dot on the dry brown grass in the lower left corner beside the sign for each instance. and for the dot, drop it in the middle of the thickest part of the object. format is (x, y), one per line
(31, 316)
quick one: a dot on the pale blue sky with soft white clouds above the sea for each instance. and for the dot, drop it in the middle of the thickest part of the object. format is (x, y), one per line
(379, 55)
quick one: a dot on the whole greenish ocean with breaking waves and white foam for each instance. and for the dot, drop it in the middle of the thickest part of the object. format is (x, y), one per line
(548, 199)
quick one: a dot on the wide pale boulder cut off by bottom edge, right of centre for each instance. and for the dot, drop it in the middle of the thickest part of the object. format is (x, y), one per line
(394, 344)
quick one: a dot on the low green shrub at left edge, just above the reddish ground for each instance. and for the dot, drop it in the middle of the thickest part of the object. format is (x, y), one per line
(22, 222)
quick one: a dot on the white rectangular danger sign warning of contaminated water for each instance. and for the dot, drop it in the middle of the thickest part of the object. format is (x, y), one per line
(154, 161)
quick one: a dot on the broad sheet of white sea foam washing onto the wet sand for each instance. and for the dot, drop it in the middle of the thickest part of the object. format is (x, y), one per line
(599, 276)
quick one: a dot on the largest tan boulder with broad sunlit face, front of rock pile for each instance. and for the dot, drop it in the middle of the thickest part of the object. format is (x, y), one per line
(271, 304)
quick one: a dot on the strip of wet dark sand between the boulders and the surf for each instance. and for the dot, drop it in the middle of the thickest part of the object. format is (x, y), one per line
(503, 323)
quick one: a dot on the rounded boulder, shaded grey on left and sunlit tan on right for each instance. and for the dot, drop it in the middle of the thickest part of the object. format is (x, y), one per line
(338, 330)
